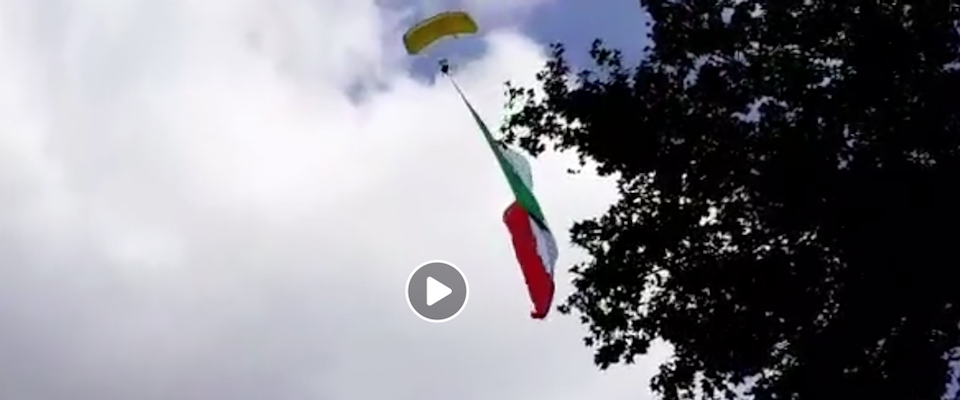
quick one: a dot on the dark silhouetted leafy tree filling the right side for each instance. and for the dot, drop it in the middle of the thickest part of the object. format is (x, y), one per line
(788, 179)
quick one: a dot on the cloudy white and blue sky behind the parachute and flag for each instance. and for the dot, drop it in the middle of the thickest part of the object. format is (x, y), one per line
(224, 199)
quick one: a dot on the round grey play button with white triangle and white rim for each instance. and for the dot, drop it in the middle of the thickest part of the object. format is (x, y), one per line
(437, 291)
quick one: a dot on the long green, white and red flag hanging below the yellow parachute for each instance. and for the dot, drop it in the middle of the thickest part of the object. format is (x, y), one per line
(534, 245)
